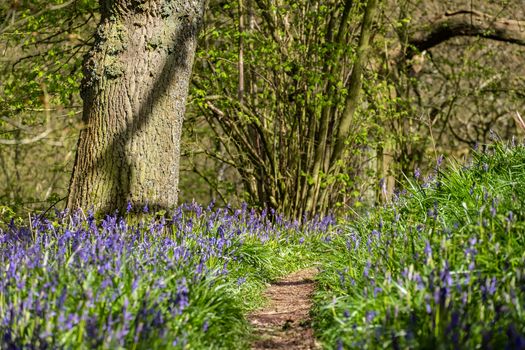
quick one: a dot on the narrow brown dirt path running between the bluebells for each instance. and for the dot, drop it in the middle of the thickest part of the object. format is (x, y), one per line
(285, 322)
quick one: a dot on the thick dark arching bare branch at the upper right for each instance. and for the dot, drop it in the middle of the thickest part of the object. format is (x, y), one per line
(466, 23)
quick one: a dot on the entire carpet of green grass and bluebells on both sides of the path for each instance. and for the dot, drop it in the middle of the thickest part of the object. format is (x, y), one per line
(442, 267)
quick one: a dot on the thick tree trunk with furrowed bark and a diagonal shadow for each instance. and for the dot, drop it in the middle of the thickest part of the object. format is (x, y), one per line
(134, 91)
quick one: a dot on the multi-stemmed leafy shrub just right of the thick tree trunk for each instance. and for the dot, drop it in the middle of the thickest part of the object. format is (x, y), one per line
(272, 81)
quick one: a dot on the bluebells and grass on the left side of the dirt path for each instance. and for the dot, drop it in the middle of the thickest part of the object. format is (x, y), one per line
(77, 282)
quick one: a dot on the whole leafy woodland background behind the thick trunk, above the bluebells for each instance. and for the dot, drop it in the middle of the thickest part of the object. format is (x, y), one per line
(263, 69)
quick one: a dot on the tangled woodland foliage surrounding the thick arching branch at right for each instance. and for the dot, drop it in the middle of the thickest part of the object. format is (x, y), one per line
(453, 94)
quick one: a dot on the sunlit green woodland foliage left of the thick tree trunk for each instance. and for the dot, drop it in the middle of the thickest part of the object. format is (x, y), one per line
(42, 47)
